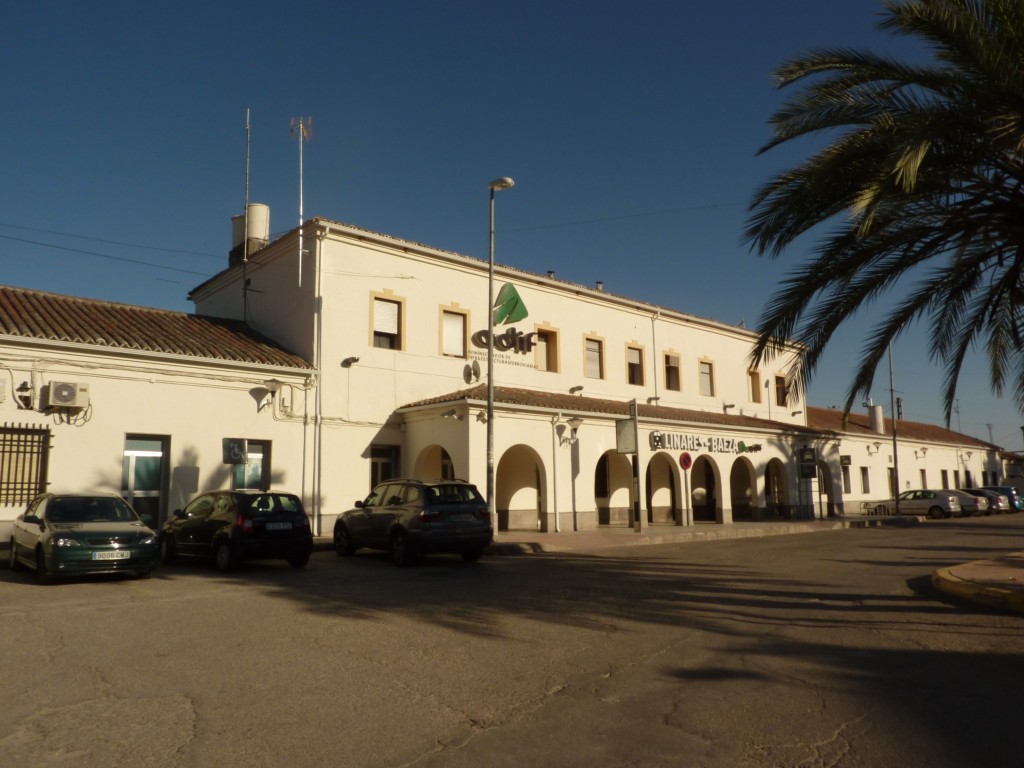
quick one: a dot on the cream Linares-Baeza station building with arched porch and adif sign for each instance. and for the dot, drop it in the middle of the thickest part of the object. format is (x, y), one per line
(334, 358)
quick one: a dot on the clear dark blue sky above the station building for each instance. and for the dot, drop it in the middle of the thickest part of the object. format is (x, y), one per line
(630, 129)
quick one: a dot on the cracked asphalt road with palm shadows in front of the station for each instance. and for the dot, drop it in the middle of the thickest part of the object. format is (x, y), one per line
(813, 650)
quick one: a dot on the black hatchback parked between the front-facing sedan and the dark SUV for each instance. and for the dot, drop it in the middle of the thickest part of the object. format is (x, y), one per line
(230, 527)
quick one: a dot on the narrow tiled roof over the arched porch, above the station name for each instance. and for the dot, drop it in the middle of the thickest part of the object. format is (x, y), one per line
(578, 404)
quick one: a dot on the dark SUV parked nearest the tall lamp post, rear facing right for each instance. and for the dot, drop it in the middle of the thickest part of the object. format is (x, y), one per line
(413, 518)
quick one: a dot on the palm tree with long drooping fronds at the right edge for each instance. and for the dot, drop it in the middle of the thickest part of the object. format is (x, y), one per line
(919, 189)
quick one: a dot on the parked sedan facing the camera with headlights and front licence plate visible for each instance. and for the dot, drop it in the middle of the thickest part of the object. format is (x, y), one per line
(65, 535)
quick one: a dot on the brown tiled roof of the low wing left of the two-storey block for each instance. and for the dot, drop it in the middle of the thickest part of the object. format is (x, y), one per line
(37, 315)
